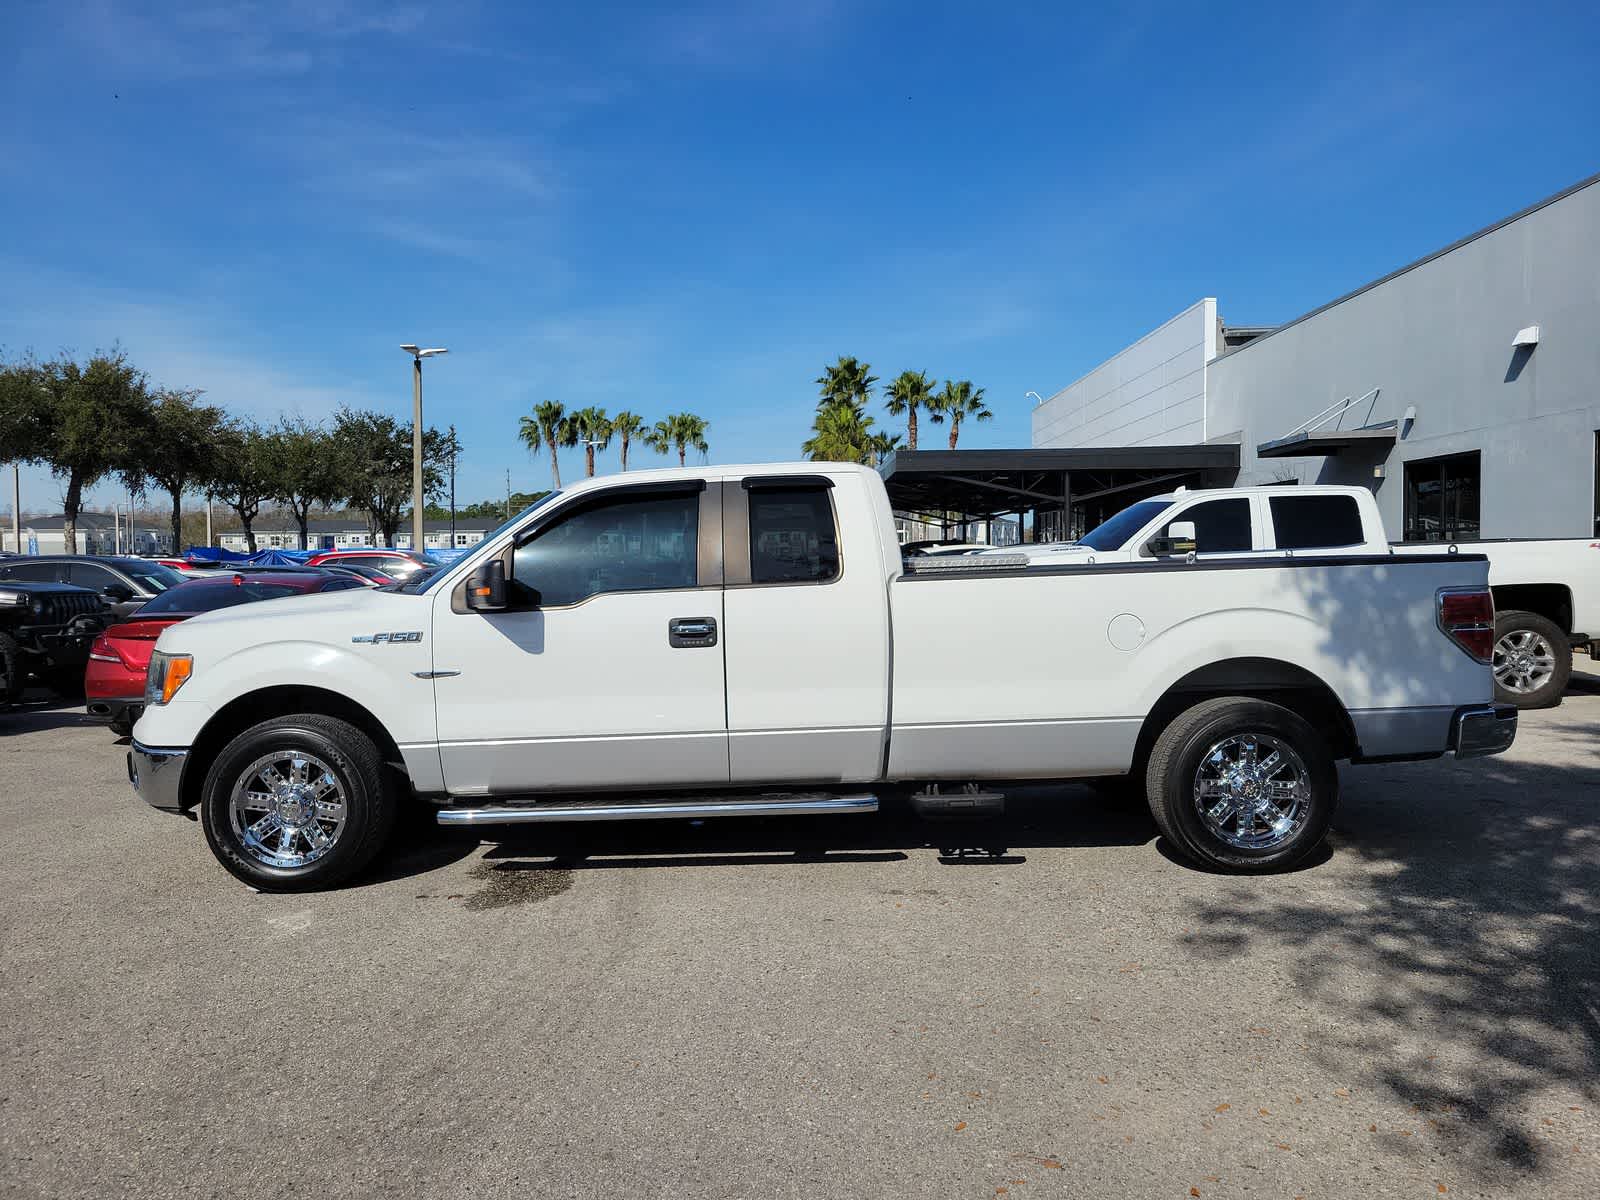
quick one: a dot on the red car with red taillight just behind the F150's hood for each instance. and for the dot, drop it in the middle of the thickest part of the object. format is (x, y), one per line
(114, 681)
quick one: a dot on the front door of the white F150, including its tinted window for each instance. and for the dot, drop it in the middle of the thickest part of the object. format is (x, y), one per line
(609, 668)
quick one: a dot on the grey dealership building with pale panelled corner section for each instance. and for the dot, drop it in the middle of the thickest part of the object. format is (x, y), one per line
(1463, 390)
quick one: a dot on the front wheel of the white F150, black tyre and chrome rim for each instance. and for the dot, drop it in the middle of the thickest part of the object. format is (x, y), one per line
(297, 804)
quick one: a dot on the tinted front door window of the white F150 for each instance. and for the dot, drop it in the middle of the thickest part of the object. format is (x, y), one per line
(636, 545)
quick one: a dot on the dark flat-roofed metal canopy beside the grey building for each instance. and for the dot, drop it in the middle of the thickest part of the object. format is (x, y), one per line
(1090, 482)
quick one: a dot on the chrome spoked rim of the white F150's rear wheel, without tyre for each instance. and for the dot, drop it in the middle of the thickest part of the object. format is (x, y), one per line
(1252, 791)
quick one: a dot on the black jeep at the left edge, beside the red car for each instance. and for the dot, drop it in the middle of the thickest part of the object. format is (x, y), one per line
(46, 633)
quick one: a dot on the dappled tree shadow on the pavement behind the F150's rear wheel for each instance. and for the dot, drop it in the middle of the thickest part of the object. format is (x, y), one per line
(1465, 961)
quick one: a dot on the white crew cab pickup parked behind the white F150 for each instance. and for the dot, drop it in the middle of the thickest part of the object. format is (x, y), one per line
(1546, 591)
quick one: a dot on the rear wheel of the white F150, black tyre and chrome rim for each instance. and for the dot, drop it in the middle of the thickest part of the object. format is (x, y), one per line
(1242, 786)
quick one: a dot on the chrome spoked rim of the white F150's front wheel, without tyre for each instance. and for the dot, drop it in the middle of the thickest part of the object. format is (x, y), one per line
(287, 809)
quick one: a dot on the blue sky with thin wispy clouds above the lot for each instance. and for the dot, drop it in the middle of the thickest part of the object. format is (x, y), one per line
(655, 209)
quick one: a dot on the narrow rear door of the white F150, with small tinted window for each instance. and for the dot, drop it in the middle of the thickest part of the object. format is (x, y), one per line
(807, 641)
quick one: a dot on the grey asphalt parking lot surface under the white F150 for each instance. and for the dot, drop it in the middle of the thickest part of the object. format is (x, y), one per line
(702, 1012)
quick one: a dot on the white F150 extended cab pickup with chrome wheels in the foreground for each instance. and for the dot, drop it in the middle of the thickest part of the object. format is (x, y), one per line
(743, 641)
